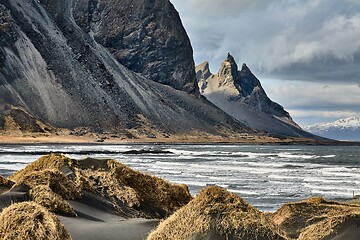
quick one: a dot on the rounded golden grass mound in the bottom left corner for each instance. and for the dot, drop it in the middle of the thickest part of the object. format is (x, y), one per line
(29, 220)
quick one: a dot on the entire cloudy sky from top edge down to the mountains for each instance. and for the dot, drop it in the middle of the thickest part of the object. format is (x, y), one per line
(306, 53)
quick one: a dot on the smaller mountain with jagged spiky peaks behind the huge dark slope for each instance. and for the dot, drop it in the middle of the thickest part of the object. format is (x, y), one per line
(240, 94)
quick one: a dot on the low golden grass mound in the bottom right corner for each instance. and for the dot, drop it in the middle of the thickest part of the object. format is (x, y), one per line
(314, 218)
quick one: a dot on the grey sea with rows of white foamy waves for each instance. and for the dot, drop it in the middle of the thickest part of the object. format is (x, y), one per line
(266, 176)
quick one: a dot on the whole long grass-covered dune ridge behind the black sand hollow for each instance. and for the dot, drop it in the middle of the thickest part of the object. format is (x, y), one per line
(150, 196)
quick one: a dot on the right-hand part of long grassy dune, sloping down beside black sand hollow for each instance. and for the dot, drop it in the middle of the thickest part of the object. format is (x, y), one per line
(151, 196)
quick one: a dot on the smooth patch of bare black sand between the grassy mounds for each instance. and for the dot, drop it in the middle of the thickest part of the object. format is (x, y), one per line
(96, 220)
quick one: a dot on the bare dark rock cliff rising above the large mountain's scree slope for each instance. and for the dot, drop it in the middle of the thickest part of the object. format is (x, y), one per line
(146, 36)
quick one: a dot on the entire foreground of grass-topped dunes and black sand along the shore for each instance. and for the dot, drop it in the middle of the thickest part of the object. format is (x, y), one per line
(103, 199)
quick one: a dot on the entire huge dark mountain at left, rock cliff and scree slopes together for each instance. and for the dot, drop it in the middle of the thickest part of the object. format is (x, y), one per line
(61, 61)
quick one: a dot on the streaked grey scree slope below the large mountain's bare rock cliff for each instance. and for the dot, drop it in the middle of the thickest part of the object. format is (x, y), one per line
(56, 71)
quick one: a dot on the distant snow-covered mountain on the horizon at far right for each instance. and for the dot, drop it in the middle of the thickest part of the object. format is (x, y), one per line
(342, 129)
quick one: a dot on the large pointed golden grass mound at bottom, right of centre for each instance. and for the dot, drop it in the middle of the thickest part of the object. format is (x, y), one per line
(217, 214)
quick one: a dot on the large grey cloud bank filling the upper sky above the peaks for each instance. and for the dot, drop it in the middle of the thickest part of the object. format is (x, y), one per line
(314, 40)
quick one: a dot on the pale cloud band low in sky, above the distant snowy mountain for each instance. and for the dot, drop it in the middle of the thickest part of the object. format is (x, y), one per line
(311, 102)
